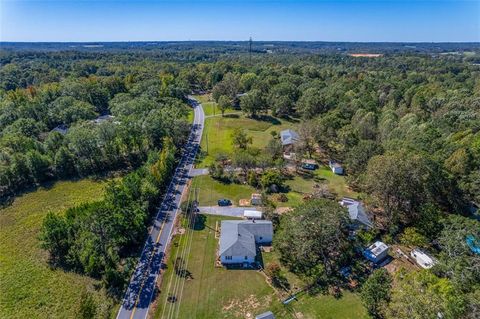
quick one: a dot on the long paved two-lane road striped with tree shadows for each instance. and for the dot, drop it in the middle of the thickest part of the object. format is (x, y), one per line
(138, 296)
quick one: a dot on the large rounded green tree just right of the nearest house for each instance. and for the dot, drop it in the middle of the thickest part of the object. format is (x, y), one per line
(311, 248)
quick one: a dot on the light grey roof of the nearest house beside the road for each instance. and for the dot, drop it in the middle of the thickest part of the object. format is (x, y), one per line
(237, 237)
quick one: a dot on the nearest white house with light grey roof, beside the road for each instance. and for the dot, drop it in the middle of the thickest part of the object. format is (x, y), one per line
(238, 240)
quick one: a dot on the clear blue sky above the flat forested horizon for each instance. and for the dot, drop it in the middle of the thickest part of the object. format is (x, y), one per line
(287, 20)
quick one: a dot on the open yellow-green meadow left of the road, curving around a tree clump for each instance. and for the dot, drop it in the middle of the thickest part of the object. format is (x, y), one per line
(29, 288)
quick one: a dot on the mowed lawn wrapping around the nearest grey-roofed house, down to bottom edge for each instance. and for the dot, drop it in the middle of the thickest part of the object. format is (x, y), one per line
(219, 293)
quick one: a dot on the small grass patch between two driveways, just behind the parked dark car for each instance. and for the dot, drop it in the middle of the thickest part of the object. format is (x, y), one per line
(210, 191)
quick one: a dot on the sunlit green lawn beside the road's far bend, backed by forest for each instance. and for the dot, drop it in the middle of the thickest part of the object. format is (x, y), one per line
(217, 135)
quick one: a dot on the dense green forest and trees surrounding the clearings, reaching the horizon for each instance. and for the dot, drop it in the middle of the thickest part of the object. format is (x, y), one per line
(405, 125)
